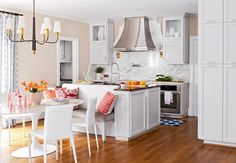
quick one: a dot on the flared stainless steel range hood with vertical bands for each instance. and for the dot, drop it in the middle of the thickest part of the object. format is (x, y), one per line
(136, 36)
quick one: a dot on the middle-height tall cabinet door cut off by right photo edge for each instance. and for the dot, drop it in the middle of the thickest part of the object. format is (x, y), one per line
(229, 43)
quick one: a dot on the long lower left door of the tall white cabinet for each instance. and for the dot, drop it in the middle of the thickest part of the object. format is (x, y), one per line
(210, 102)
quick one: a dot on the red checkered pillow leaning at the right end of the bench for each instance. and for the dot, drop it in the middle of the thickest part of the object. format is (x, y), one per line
(107, 103)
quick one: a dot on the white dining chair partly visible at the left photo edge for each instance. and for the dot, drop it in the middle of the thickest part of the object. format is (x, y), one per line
(3, 101)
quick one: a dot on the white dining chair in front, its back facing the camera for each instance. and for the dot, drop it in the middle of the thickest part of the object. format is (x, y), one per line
(57, 126)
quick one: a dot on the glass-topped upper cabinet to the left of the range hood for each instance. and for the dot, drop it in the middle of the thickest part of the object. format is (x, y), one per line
(101, 42)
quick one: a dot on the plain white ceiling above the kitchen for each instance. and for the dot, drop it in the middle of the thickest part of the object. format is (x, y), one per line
(87, 10)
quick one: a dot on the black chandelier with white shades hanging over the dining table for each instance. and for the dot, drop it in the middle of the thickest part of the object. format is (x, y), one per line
(45, 28)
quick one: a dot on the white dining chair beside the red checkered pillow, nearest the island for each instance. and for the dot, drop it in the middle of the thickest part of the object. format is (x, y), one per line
(88, 121)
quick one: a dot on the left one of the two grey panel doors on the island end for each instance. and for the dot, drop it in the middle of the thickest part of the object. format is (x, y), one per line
(138, 112)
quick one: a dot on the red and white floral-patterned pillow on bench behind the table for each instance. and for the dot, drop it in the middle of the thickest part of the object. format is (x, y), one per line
(67, 93)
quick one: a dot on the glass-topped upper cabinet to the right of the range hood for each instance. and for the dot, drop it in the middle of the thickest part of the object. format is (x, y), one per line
(175, 44)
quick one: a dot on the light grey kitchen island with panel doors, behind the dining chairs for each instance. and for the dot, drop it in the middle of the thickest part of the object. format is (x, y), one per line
(136, 111)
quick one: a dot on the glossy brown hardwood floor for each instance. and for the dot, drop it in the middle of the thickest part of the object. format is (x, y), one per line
(163, 145)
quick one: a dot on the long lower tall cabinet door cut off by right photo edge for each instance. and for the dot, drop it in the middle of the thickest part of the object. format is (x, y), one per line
(229, 103)
